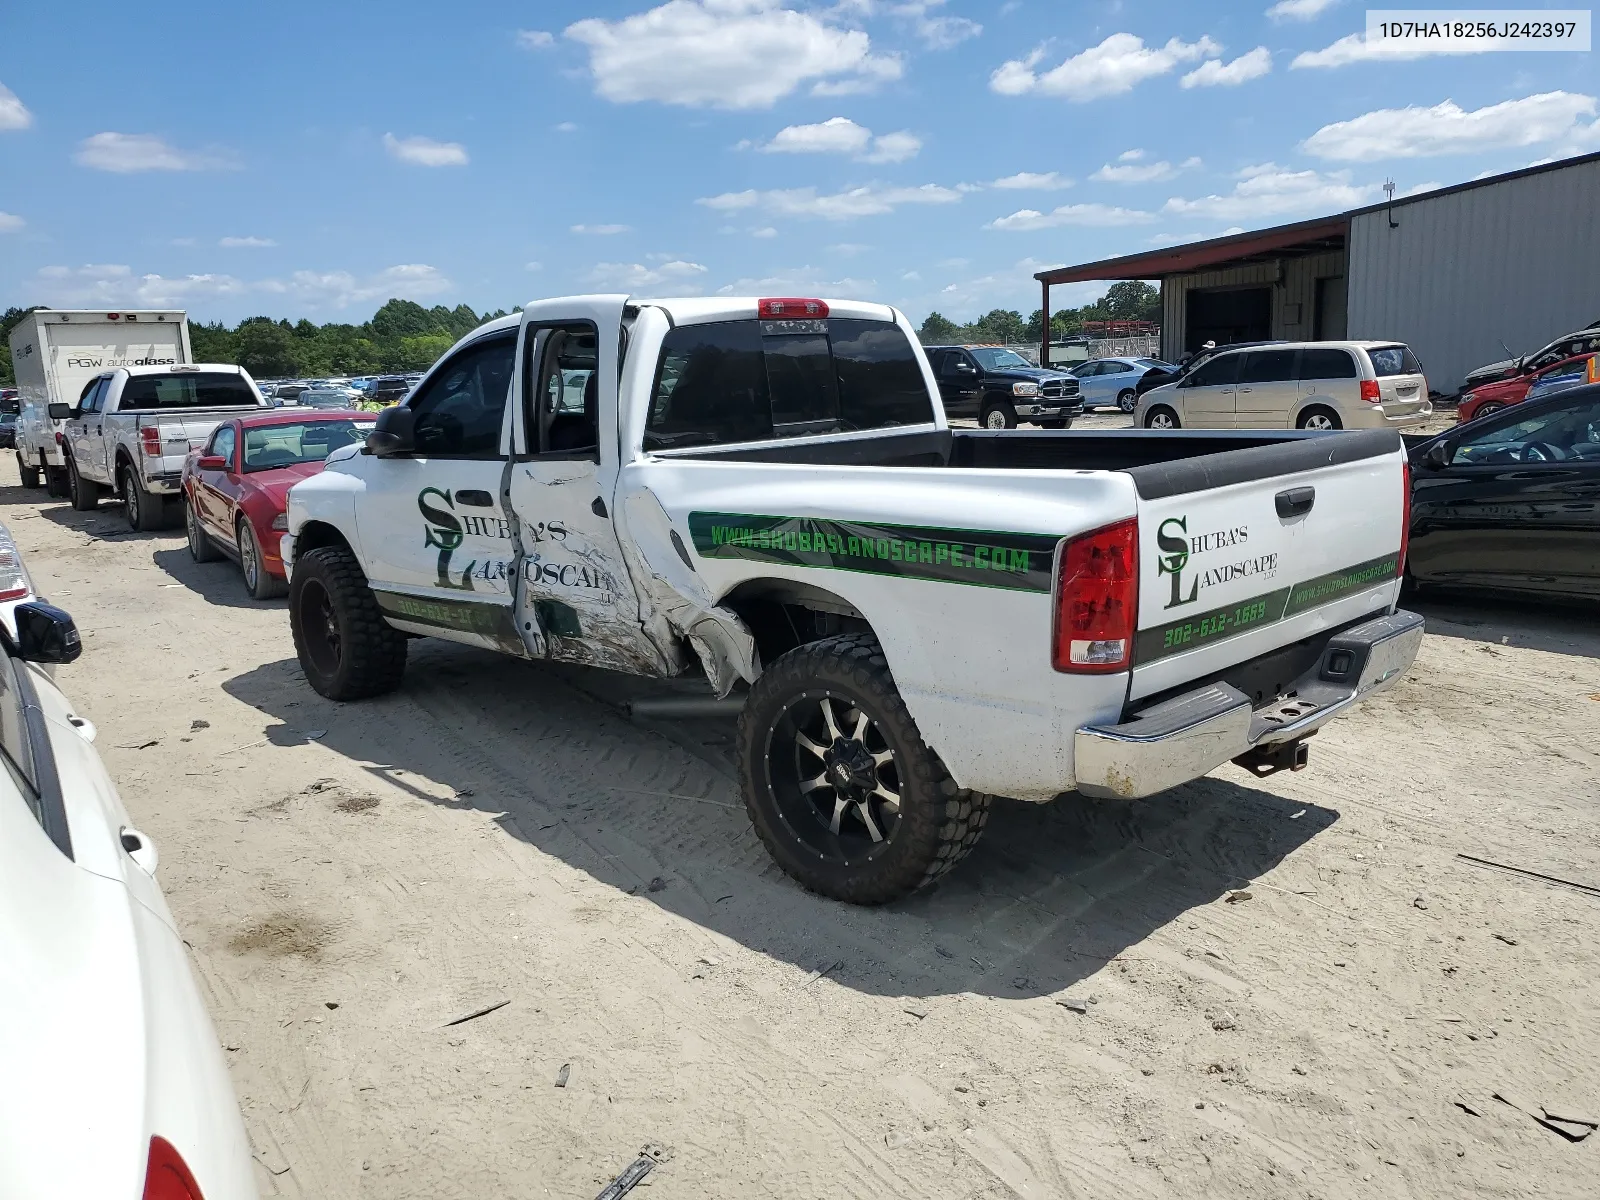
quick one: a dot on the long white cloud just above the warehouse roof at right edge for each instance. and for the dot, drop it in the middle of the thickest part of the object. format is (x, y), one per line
(1449, 129)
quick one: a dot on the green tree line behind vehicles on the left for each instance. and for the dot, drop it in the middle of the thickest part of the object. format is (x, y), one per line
(401, 337)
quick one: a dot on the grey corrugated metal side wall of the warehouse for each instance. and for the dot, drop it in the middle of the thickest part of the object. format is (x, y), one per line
(1516, 262)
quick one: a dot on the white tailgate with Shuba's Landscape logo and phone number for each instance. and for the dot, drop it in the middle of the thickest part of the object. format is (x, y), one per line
(1225, 578)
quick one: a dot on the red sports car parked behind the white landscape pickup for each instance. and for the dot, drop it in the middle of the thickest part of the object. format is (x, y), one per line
(236, 490)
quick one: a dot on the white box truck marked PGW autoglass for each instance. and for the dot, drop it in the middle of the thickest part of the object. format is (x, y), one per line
(58, 353)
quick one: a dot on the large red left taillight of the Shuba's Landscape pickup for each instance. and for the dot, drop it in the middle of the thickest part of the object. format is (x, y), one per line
(1098, 601)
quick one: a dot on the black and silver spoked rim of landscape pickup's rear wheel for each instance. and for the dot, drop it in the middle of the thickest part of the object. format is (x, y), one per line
(834, 777)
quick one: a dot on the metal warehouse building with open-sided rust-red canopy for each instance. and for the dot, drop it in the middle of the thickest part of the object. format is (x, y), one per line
(1460, 274)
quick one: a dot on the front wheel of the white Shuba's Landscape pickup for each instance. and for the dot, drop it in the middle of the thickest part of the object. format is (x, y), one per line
(342, 639)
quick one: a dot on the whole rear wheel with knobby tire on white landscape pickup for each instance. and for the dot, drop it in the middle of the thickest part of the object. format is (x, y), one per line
(839, 783)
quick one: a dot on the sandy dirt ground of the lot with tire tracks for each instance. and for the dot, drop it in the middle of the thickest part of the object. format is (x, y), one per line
(1281, 988)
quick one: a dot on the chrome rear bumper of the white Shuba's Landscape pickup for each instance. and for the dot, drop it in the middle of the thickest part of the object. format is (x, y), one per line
(1188, 737)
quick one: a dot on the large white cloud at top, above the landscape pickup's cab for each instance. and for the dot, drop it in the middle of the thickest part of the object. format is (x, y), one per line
(727, 55)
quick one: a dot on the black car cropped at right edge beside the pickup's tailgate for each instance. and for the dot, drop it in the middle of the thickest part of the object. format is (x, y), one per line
(1511, 503)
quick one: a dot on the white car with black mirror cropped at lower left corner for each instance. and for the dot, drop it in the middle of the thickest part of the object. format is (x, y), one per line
(116, 1084)
